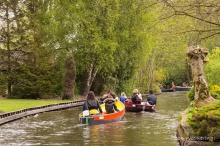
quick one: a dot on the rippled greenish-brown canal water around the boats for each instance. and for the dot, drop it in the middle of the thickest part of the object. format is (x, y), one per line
(62, 128)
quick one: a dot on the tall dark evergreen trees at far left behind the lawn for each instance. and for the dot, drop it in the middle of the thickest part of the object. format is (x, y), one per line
(34, 76)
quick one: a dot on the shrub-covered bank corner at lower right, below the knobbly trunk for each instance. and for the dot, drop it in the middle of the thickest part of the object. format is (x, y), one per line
(200, 126)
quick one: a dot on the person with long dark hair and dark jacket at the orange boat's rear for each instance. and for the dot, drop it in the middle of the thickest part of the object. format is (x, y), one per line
(91, 102)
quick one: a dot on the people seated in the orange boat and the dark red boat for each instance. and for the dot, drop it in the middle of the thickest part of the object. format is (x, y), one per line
(109, 99)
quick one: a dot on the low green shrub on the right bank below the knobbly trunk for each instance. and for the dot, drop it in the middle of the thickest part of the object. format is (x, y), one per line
(205, 120)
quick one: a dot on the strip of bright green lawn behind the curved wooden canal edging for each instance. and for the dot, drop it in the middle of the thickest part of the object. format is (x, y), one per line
(8, 105)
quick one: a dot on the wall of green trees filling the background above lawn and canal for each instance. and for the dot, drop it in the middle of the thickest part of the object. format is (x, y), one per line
(116, 44)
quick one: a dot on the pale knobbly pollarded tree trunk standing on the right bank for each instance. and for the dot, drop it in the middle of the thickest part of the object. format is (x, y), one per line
(197, 58)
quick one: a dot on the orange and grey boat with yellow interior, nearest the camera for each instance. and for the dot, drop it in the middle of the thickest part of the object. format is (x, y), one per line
(94, 117)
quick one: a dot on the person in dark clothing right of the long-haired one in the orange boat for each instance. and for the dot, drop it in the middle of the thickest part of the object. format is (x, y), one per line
(110, 106)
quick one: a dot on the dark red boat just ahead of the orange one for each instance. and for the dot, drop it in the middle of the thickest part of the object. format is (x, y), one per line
(138, 106)
